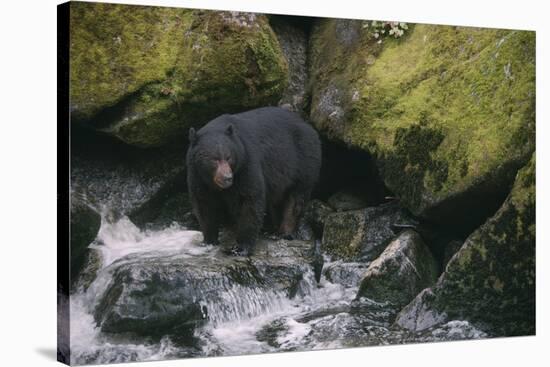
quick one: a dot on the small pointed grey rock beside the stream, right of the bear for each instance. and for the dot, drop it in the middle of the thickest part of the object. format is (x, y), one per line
(404, 269)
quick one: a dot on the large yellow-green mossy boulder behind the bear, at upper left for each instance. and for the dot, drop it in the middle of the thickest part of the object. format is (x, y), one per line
(145, 74)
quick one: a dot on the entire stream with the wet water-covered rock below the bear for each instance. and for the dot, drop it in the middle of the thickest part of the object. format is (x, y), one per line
(269, 303)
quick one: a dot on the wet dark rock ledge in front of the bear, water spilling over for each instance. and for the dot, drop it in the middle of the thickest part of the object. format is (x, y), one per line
(157, 296)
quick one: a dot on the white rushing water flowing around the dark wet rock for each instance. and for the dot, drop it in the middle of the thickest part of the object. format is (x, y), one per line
(242, 320)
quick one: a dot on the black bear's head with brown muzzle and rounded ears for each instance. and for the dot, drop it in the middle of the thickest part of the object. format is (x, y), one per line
(216, 156)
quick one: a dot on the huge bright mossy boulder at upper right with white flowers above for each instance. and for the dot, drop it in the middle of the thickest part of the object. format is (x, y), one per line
(447, 112)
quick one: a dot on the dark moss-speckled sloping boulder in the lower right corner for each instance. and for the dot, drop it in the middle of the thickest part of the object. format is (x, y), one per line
(491, 279)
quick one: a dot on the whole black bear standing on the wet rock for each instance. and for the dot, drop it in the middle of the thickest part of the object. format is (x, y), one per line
(242, 166)
